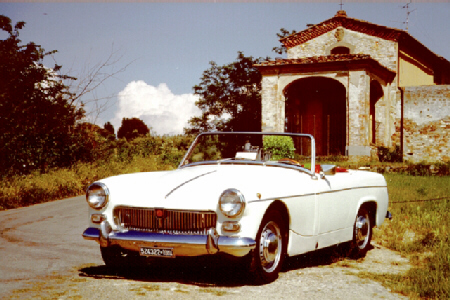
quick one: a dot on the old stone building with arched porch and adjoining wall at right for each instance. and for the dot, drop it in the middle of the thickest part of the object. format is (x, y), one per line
(358, 86)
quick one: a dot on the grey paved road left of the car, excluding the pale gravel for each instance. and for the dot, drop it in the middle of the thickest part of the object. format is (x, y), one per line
(42, 240)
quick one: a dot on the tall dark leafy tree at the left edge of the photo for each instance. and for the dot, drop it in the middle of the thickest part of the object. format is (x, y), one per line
(37, 117)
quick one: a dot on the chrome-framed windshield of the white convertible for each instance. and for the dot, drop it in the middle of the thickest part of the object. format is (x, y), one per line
(257, 148)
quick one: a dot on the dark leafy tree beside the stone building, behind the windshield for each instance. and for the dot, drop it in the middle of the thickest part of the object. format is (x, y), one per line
(230, 97)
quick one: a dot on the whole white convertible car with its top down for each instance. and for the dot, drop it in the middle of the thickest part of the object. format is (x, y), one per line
(255, 196)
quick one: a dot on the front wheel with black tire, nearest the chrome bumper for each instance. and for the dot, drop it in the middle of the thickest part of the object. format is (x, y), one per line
(271, 244)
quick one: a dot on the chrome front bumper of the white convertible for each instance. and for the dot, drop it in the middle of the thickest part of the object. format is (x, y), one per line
(182, 245)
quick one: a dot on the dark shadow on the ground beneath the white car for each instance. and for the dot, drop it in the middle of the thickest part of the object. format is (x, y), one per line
(218, 272)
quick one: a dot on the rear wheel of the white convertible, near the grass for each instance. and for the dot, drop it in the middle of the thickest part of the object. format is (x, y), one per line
(362, 233)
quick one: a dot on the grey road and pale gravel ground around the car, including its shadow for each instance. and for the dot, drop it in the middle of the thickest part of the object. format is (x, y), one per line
(43, 256)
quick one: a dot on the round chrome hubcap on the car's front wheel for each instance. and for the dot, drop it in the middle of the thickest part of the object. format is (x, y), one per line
(270, 247)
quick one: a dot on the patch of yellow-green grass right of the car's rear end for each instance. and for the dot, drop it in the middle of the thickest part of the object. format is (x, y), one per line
(419, 230)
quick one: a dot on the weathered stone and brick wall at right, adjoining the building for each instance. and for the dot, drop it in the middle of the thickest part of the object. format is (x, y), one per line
(426, 123)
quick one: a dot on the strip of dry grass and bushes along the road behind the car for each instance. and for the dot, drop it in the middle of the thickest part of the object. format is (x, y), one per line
(109, 158)
